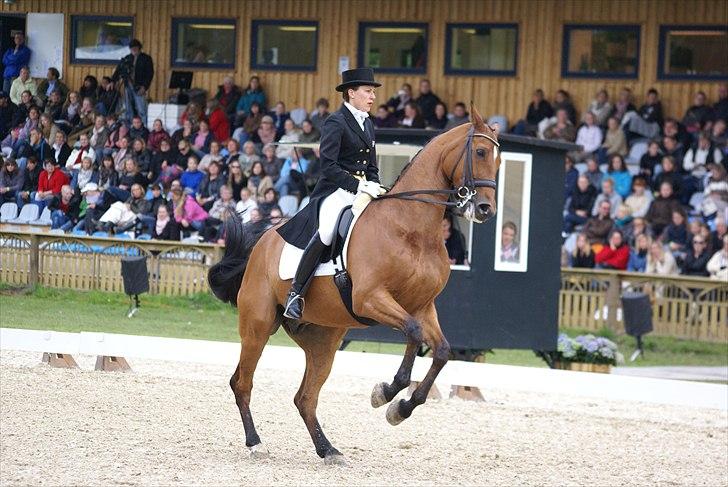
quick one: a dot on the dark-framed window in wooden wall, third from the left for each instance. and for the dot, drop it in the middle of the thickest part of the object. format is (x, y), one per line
(286, 45)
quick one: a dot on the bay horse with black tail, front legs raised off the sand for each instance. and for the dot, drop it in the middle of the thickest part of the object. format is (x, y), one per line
(398, 264)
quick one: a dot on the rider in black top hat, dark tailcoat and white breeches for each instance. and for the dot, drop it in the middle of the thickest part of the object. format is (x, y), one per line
(350, 176)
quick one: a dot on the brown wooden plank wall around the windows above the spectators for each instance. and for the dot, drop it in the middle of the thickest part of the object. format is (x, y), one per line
(539, 57)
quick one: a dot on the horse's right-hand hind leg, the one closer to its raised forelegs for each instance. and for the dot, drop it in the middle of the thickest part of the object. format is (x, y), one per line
(320, 344)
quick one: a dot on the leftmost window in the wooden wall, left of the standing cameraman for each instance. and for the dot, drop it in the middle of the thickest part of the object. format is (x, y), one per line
(100, 40)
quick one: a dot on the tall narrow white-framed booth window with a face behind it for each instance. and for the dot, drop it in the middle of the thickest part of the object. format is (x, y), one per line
(514, 196)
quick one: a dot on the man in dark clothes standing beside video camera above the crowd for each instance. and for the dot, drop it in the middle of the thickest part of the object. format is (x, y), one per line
(135, 71)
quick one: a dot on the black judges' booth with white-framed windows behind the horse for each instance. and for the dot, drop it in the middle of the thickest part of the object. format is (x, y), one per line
(503, 298)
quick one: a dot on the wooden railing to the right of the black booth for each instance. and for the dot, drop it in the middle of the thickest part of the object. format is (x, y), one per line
(682, 307)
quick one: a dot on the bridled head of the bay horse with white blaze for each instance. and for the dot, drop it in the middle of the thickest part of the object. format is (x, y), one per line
(471, 164)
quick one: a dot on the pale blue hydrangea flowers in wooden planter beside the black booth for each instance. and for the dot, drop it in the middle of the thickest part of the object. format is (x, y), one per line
(586, 353)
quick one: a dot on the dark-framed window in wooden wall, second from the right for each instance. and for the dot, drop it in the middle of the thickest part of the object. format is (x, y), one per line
(601, 51)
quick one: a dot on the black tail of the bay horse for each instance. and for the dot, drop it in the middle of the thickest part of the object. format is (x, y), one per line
(226, 276)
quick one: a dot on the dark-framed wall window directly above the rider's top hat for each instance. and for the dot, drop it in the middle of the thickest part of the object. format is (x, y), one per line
(393, 47)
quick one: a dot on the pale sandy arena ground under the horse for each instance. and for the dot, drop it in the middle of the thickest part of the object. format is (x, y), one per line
(168, 424)
